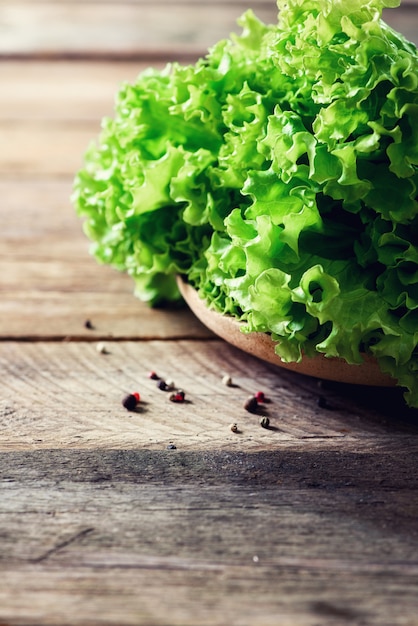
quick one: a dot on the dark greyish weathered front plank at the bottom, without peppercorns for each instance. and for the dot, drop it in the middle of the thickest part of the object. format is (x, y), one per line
(130, 537)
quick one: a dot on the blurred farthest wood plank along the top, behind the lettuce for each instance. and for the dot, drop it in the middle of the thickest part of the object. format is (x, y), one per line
(150, 29)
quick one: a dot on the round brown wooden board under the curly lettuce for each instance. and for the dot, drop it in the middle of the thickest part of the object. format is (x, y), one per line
(262, 346)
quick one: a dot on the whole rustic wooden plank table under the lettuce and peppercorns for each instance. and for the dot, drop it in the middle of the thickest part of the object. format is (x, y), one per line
(165, 516)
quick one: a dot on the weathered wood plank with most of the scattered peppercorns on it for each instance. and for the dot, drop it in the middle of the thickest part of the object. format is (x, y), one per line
(69, 395)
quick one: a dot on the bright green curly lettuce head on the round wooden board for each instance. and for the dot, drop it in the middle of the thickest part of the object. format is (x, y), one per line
(278, 175)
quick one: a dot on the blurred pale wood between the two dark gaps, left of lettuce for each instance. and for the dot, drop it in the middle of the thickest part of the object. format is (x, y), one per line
(49, 284)
